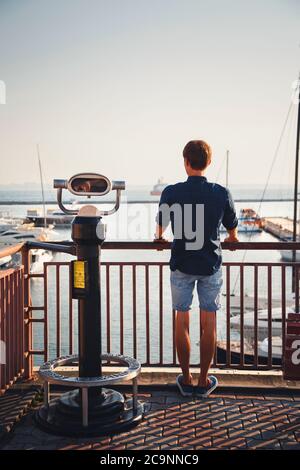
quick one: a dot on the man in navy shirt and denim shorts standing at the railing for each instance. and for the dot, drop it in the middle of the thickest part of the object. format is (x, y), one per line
(196, 209)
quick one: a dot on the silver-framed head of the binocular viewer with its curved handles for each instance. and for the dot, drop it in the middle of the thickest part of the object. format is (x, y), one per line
(88, 184)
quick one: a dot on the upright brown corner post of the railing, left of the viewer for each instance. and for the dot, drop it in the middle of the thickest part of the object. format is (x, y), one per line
(27, 324)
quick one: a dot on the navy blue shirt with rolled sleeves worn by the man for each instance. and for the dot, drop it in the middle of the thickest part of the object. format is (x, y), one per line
(218, 209)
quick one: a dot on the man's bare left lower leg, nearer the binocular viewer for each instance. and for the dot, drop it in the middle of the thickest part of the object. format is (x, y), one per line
(183, 344)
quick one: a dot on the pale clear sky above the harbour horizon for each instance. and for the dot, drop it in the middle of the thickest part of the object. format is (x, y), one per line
(120, 86)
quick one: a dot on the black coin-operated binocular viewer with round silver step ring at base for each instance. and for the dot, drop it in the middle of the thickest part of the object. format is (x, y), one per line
(90, 407)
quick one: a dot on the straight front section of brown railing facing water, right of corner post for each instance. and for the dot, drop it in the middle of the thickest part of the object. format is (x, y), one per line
(137, 317)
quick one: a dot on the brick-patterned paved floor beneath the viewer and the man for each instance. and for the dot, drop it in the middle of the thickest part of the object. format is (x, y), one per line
(226, 420)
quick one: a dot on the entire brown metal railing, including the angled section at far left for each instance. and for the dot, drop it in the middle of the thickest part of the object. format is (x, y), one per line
(137, 317)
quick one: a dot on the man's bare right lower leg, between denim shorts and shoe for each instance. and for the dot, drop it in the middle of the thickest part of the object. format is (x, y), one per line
(207, 344)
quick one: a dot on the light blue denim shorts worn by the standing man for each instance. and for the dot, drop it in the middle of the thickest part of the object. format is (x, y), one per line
(208, 288)
